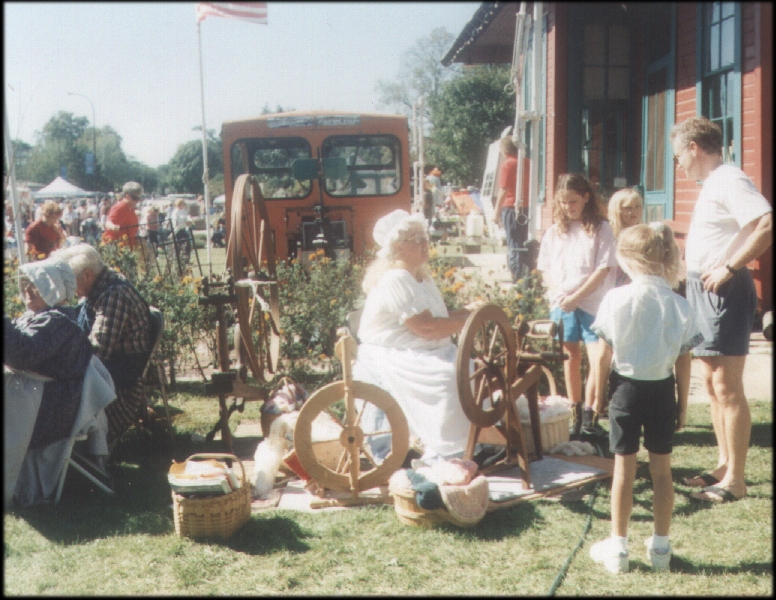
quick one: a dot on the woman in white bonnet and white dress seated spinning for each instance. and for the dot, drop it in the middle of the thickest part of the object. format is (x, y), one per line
(404, 333)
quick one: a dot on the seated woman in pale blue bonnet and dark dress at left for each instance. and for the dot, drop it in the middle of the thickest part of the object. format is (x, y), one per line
(46, 341)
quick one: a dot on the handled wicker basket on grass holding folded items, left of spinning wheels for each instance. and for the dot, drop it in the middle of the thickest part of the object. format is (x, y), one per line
(218, 516)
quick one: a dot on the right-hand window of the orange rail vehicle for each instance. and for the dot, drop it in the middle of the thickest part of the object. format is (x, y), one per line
(373, 164)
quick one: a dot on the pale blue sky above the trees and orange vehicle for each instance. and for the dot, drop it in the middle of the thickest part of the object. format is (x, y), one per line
(138, 63)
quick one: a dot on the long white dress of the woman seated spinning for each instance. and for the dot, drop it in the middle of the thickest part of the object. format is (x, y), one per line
(420, 374)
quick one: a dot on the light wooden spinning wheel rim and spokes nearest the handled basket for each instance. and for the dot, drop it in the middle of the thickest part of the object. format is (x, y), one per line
(352, 441)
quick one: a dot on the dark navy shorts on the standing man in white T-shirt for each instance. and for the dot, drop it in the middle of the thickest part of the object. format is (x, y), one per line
(725, 319)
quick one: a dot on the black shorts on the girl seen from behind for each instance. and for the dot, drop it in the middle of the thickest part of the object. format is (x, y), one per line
(636, 404)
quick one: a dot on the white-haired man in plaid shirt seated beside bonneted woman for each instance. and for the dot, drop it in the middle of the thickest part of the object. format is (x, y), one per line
(117, 320)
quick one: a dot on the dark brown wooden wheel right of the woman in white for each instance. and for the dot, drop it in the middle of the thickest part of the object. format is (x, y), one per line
(486, 365)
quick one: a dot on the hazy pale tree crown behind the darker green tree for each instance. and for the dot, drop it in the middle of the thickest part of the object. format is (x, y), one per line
(421, 73)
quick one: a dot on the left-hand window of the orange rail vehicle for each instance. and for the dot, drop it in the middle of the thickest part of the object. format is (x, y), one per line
(270, 159)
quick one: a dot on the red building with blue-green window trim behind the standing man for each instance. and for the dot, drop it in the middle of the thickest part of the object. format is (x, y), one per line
(611, 80)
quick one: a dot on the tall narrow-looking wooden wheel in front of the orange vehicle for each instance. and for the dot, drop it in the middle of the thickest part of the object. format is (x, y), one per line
(250, 253)
